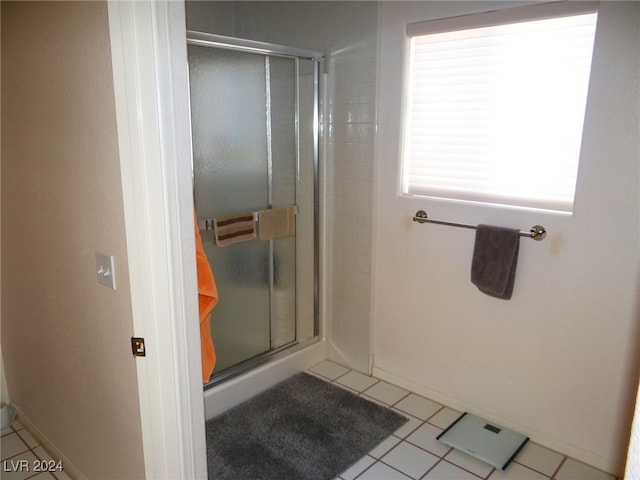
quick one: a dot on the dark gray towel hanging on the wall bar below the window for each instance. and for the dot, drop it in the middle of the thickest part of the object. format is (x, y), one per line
(495, 257)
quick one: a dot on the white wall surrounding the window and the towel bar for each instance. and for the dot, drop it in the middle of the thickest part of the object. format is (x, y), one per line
(559, 358)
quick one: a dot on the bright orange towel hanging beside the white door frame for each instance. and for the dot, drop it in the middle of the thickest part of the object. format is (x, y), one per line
(207, 299)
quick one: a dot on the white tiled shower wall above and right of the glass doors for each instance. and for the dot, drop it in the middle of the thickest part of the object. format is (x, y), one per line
(347, 33)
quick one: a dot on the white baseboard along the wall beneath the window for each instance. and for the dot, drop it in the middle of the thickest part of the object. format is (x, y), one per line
(601, 463)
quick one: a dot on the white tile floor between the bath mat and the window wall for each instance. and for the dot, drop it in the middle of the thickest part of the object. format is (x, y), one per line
(413, 452)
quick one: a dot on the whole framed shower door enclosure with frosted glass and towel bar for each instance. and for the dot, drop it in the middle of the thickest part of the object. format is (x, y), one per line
(255, 130)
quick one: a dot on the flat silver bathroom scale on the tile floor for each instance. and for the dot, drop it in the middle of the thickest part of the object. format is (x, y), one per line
(490, 443)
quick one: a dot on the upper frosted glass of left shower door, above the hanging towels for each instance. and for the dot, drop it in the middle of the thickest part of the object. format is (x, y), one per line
(228, 102)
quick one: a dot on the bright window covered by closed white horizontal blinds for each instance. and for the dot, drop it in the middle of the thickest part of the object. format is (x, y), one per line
(495, 105)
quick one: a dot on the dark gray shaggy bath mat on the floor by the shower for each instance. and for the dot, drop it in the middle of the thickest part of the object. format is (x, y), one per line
(303, 428)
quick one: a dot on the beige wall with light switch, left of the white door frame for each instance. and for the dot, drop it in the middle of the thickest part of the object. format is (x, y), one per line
(65, 338)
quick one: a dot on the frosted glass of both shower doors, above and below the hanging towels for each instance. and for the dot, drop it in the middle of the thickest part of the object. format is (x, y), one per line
(244, 109)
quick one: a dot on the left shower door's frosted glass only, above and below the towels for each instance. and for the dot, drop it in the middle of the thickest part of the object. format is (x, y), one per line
(231, 176)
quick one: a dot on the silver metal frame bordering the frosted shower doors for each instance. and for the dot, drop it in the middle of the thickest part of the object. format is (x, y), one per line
(251, 46)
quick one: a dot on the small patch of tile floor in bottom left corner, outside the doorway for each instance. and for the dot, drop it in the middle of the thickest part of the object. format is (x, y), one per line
(23, 457)
